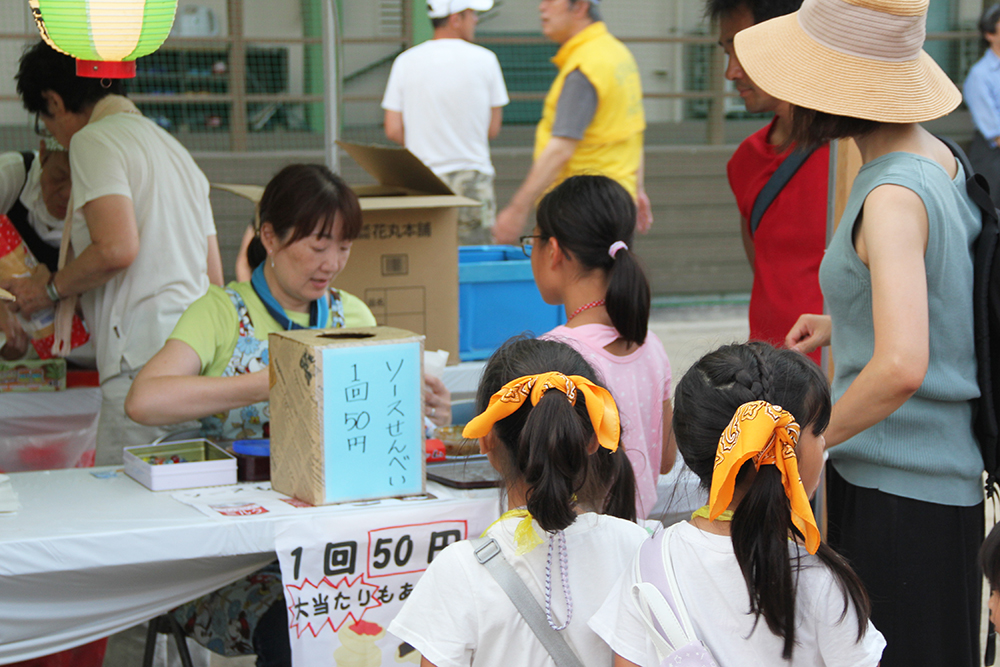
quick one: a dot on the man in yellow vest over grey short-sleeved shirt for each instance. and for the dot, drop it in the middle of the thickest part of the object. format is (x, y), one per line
(592, 120)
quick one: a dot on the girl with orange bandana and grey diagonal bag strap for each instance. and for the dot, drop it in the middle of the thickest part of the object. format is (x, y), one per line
(553, 434)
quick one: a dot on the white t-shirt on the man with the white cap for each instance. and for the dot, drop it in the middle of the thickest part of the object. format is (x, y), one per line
(446, 90)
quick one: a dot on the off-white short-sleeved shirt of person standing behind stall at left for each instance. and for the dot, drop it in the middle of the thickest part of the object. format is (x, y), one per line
(132, 314)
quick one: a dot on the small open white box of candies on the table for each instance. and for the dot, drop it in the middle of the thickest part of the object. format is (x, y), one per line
(204, 464)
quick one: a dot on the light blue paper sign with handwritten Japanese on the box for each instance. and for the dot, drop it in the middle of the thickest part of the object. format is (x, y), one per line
(372, 426)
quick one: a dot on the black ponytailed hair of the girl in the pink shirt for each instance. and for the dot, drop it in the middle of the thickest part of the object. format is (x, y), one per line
(593, 218)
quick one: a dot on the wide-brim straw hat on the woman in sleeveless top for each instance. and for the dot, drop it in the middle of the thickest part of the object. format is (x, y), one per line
(857, 58)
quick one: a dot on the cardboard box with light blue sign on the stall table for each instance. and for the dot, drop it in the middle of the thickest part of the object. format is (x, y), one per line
(346, 414)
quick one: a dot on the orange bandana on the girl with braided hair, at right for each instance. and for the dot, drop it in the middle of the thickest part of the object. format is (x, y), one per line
(768, 435)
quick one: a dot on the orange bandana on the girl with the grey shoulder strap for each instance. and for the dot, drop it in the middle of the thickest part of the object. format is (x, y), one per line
(600, 404)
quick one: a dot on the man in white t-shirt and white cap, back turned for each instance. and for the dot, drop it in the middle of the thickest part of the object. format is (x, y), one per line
(444, 101)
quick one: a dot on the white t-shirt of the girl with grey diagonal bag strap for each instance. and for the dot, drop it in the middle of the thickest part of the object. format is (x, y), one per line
(459, 616)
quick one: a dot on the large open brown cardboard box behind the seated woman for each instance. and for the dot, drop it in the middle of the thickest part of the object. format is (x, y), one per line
(404, 265)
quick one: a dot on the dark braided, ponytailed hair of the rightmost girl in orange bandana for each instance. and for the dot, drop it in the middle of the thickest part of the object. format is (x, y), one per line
(707, 397)
